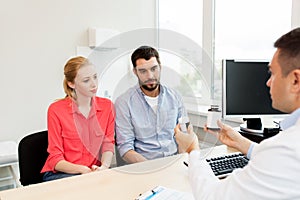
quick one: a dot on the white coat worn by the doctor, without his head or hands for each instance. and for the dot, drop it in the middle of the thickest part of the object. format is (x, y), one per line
(273, 172)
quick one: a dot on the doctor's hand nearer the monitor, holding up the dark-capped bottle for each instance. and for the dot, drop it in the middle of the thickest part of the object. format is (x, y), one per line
(230, 137)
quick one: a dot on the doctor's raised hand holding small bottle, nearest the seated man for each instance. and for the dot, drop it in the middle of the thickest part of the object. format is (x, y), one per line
(186, 141)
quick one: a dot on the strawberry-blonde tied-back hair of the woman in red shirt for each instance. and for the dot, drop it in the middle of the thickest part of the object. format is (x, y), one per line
(70, 71)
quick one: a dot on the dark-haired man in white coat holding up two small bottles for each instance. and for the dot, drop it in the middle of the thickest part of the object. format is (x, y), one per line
(273, 171)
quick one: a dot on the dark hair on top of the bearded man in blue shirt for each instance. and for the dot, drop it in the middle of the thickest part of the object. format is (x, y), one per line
(145, 52)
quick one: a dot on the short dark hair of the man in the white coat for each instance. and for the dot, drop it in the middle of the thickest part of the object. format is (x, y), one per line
(289, 51)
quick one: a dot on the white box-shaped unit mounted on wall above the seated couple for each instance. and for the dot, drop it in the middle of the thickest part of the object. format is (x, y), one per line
(103, 38)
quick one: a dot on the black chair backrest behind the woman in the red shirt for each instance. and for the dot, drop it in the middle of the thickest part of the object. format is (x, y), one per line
(32, 153)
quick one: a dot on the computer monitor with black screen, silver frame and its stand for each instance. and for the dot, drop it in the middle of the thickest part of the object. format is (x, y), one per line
(245, 93)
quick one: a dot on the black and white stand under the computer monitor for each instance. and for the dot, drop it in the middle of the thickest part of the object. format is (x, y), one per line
(252, 126)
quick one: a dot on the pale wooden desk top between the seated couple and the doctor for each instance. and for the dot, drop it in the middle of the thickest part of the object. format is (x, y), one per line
(125, 182)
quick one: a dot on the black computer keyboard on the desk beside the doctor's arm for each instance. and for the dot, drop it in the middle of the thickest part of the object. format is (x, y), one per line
(224, 165)
